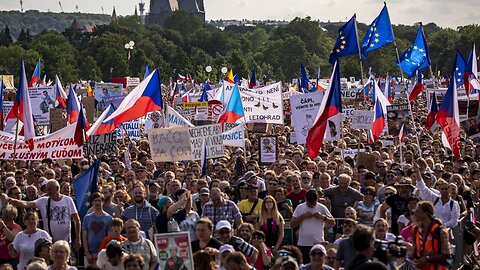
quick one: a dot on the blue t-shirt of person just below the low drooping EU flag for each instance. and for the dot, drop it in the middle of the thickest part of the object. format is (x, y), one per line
(97, 228)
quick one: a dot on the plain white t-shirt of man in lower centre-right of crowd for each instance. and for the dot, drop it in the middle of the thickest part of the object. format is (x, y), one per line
(311, 229)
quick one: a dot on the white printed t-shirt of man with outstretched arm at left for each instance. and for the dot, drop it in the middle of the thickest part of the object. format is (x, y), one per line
(60, 216)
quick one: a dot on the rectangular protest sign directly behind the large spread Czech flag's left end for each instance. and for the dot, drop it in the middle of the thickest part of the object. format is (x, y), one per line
(108, 93)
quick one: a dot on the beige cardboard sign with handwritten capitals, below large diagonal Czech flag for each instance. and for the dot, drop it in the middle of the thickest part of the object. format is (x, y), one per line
(170, 144)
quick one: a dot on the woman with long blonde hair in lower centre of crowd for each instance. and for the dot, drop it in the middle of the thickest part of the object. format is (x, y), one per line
(271, 223)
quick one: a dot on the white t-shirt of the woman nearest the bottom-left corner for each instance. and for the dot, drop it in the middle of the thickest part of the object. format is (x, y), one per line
(25, 245)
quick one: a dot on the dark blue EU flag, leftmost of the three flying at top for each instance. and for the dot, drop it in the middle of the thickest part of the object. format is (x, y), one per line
(347, 42)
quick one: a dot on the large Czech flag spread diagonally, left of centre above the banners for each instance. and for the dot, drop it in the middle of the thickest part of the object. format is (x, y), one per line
(145, 98)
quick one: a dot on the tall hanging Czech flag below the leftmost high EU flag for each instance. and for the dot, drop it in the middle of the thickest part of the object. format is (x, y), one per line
(331, 105)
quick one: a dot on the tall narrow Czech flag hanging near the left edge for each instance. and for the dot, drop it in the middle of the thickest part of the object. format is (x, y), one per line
(22, 108)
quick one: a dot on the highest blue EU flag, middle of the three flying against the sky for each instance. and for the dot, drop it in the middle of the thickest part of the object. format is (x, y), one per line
(379, 34)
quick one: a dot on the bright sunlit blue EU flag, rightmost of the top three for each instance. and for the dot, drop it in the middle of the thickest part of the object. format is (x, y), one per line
(416, 57)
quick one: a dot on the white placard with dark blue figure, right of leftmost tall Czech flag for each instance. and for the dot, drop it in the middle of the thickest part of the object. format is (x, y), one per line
(42, 99)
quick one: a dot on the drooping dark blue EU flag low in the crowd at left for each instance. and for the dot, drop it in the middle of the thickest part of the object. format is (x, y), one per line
(84, 186)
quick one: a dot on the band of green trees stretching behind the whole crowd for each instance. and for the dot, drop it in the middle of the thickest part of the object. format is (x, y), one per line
(187, 45)
